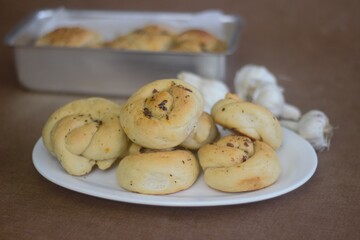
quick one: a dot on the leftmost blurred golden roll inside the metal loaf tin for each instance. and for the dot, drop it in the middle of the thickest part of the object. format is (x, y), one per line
(70, 37)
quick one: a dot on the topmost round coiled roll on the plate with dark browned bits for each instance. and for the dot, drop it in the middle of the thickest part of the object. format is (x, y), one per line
(162, 114)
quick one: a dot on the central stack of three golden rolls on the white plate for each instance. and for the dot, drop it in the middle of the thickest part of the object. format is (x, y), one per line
(165, 119)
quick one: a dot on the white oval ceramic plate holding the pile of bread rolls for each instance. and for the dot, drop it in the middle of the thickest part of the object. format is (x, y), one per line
(298, 161)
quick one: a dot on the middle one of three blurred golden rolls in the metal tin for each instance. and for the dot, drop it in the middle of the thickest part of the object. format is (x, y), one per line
(149, 38)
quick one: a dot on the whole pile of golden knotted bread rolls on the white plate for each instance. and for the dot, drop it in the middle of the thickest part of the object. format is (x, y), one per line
(163, 140)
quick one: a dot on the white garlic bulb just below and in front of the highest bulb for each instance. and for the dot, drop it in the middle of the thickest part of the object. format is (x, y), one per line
(271, 97)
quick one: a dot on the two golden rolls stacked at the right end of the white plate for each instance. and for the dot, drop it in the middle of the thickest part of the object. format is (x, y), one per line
(245, 160)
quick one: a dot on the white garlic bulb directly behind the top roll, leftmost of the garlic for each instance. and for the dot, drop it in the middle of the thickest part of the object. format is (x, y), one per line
(211, 89)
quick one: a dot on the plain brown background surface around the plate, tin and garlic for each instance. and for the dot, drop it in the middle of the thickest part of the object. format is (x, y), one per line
(313, 46)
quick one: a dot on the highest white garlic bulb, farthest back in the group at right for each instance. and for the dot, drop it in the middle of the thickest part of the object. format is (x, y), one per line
(249, 78)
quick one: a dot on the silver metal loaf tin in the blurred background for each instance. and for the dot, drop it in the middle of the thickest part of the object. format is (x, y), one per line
(107, 71)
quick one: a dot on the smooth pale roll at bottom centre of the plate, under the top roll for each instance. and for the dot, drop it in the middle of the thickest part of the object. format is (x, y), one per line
(161, 172)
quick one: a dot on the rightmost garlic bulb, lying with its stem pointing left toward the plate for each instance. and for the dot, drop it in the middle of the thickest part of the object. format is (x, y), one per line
(315, 127)
